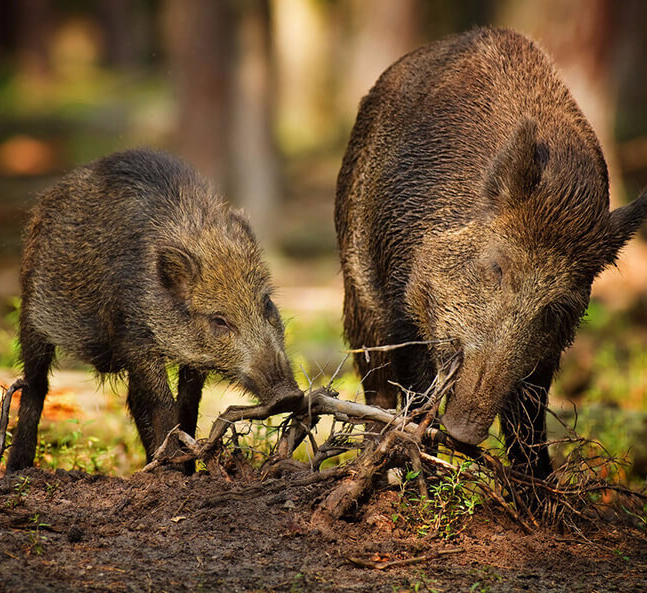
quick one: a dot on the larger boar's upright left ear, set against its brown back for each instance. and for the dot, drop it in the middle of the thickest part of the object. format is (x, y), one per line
(516, 169)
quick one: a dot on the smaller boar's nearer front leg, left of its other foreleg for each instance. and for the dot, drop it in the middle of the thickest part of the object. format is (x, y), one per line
(151, 405)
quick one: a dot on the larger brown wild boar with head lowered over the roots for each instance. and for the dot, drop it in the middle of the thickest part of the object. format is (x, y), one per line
(472, 212)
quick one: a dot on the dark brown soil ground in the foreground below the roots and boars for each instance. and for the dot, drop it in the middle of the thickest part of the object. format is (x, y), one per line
(70, 531)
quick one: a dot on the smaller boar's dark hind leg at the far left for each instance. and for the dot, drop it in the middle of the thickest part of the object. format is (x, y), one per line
(37, 355)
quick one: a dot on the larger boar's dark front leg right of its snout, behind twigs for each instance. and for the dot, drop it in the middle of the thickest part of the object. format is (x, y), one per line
(523, 421)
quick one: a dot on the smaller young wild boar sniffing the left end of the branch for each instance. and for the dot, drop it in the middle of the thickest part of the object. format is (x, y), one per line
(132, 263)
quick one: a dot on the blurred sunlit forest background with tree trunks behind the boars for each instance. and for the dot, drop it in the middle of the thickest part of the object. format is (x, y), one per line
(260, 95)
